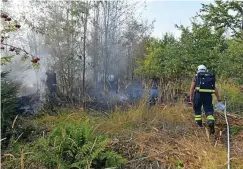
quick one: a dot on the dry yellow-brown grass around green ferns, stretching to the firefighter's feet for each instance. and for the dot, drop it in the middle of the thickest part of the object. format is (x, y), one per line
(164, 136)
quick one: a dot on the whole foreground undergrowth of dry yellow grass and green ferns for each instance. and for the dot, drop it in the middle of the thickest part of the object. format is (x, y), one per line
(163, 136)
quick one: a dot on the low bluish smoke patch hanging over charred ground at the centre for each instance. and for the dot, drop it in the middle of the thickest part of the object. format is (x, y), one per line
(116, 93)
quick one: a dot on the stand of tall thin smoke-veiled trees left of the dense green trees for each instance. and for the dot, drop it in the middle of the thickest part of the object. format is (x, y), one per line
(86, 40)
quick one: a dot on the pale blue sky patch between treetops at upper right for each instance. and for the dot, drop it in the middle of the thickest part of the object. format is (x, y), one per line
(169, 13)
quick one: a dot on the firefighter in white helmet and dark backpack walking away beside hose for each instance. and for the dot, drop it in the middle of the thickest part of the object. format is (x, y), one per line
(202, 88)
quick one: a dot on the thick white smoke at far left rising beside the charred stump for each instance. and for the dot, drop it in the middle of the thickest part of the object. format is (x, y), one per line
(21, 71)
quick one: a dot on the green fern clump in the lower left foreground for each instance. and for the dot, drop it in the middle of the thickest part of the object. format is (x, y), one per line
(74, 145)
